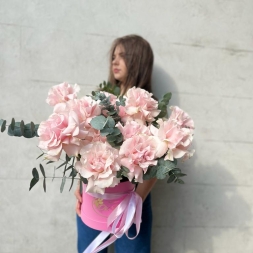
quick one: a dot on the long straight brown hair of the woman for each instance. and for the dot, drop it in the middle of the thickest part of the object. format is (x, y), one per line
(139, 60)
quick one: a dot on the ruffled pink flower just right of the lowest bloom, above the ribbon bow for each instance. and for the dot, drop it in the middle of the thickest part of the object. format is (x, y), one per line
(138, 153)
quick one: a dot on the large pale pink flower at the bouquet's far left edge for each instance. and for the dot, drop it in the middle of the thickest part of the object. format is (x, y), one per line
(57, 133)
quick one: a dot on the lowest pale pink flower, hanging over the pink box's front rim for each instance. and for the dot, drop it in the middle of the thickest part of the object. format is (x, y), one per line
(99, 165)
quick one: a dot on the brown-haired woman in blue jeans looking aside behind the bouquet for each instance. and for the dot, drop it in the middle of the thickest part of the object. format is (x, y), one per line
(131, 64)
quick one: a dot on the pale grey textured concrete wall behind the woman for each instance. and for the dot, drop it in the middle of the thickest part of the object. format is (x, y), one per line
(203, 54)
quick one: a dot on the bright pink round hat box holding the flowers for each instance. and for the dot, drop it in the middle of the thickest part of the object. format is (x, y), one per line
(95, 211)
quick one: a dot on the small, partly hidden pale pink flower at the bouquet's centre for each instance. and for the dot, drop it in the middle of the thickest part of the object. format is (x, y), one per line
(132, 128)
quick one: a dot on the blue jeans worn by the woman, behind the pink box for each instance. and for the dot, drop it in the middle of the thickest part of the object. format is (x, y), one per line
(141, 244)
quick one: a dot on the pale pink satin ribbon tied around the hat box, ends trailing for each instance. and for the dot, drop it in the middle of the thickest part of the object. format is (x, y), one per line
(119, 221)
